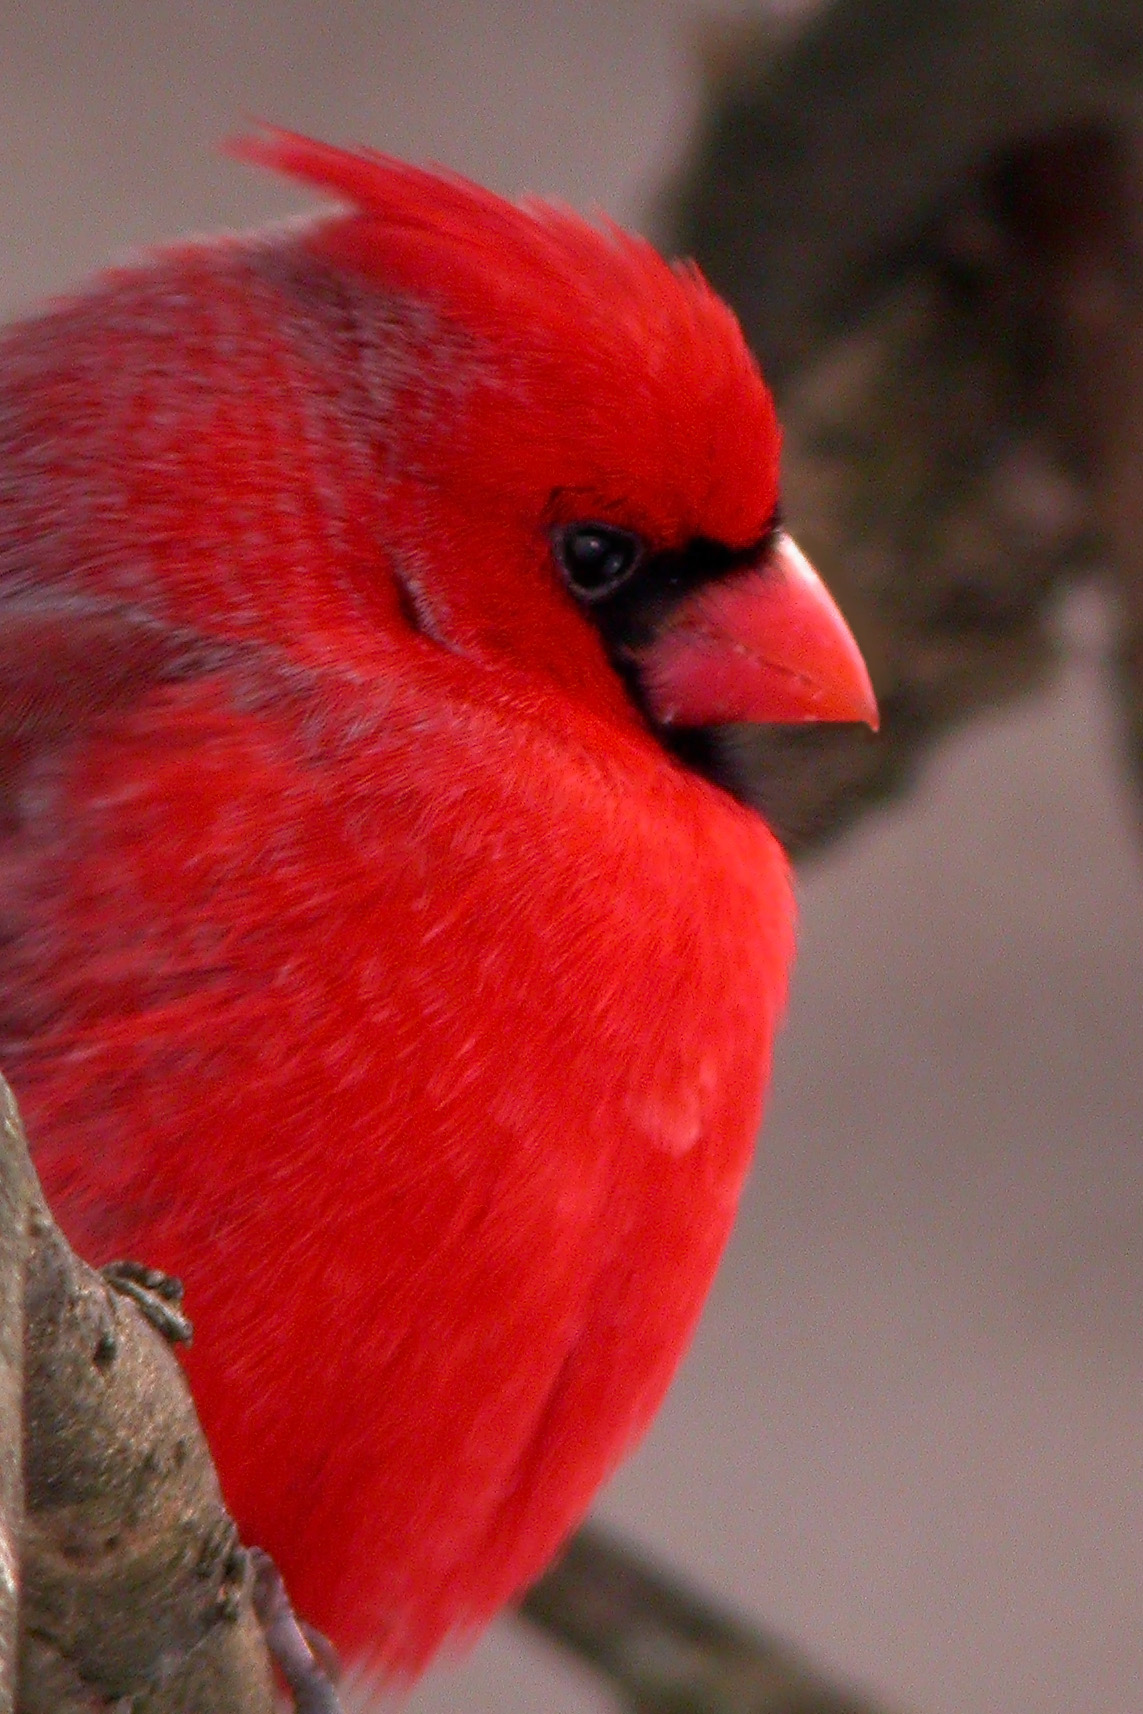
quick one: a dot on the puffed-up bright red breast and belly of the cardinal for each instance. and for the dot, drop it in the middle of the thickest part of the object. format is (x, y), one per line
(429, 1050)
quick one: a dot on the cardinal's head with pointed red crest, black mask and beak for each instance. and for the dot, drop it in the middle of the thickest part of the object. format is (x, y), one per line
(592, 441)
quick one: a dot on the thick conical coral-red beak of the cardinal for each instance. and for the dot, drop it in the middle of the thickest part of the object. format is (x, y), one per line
(769, 645)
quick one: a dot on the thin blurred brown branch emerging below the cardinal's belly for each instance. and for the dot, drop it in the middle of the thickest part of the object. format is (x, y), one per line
(666, 1650)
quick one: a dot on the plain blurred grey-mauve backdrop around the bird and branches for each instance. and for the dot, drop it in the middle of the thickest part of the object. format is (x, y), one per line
(909, 1432)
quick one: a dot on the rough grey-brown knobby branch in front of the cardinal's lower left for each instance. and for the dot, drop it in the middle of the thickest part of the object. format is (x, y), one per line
(135, 1593)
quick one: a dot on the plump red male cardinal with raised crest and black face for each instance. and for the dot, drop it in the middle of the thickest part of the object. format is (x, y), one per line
(368, 957)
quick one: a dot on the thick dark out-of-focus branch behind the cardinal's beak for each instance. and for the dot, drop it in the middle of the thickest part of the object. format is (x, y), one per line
(930, 224)
